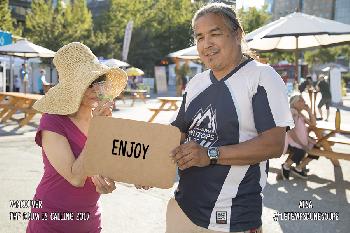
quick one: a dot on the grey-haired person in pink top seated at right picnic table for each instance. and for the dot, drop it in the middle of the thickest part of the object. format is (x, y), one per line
(298, 140)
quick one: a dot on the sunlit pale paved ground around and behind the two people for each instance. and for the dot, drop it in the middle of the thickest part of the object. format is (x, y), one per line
(129, 210)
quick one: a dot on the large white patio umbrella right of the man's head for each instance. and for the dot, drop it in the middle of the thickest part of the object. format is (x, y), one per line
(298, 31)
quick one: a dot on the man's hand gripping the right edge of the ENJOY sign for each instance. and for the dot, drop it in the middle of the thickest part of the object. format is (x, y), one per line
(190, 154)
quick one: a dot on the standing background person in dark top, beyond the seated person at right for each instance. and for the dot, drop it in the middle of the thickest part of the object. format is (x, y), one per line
(323, 87)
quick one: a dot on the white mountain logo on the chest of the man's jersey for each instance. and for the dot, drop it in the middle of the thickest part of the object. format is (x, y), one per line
(203, 127)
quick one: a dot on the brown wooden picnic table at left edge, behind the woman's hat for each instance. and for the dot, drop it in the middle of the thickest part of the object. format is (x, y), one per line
(11, 102)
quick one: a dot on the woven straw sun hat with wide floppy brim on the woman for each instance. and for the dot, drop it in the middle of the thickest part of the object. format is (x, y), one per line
(77, 67)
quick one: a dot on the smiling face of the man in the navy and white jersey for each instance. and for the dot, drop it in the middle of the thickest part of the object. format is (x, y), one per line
(217, 45)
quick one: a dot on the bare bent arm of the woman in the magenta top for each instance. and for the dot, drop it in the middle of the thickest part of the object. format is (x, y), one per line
(61, 157)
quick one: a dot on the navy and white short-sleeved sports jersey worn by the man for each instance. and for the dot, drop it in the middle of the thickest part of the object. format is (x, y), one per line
(248, 101)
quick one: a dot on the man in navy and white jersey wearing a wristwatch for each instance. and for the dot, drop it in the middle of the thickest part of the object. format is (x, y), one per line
(233, 118)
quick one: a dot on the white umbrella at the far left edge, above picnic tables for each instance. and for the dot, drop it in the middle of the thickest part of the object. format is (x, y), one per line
(25, 49)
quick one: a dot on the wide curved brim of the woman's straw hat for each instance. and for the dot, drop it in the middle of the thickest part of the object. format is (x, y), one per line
(65, 98)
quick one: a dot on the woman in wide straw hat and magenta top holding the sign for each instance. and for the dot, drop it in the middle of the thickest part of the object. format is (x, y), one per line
(68, 197)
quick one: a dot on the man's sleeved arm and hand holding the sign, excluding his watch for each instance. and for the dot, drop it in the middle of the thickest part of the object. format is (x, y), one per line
(271, 115)
